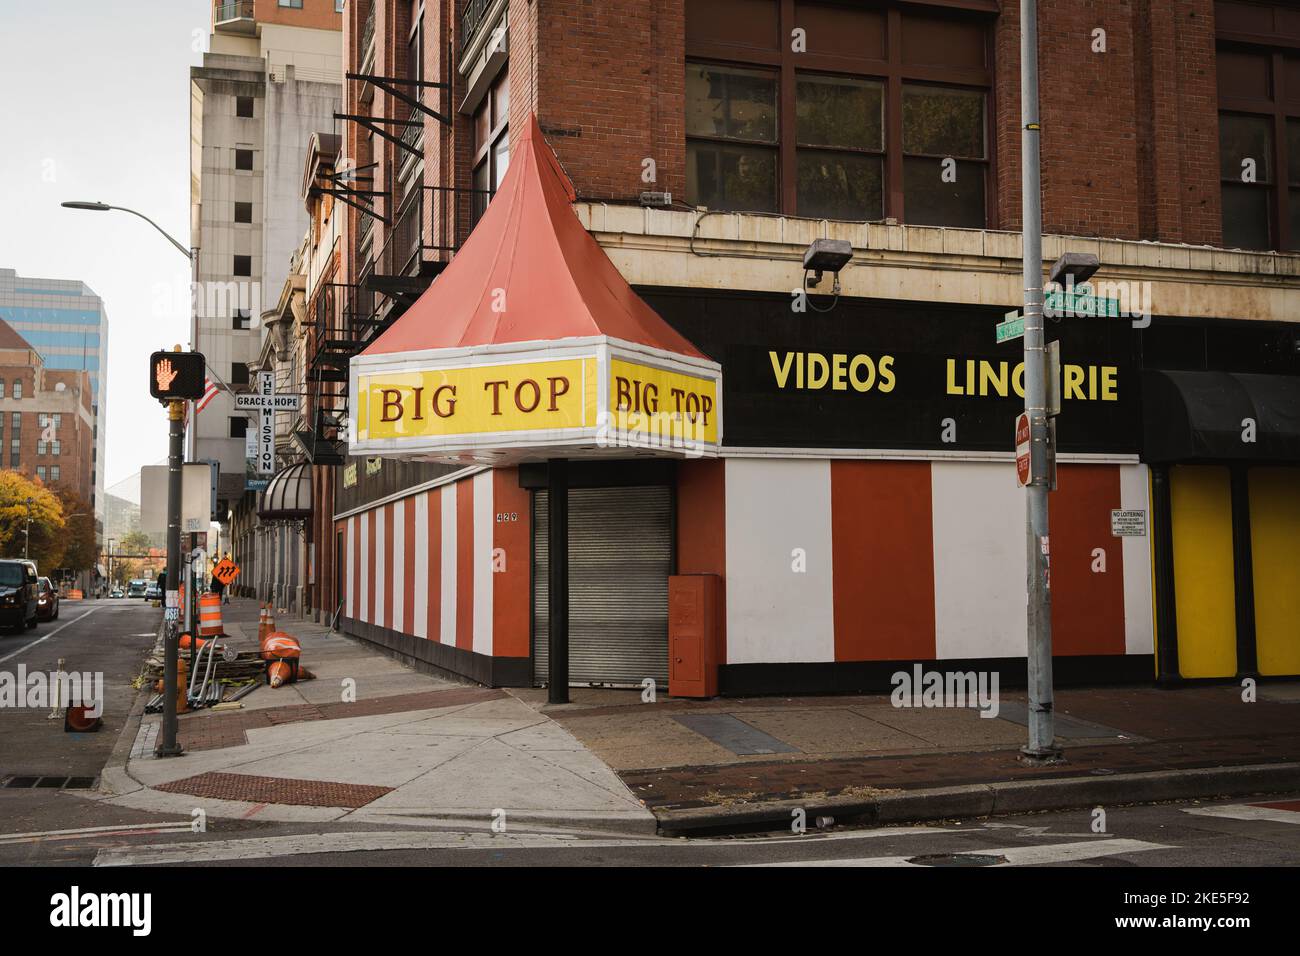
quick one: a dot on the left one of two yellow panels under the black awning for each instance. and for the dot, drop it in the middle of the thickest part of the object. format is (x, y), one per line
(1204, 582)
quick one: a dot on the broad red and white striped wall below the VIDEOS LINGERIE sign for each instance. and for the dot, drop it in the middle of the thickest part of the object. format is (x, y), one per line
(830, 561)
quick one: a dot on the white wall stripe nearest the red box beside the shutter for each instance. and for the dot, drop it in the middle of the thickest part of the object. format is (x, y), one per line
(775, 615)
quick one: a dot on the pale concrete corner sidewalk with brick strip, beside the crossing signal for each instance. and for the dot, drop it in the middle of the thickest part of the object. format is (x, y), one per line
(410, 750)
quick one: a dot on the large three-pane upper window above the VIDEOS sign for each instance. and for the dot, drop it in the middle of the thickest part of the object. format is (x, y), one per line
(830, 111)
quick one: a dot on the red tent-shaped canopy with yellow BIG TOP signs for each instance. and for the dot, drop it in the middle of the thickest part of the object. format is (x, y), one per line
(532, 345)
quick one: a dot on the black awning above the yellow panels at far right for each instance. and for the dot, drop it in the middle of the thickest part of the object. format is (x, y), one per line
(1191, 417)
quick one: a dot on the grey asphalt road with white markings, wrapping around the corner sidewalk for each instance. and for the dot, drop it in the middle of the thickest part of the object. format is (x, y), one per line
(73, 828)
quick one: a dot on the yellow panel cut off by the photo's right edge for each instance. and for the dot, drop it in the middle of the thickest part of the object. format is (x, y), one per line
(1276, 564)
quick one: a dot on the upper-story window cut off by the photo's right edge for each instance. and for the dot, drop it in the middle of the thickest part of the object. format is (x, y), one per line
(1259, 94)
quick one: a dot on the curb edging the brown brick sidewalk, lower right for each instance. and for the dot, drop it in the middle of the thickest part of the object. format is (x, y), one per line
(991, 799)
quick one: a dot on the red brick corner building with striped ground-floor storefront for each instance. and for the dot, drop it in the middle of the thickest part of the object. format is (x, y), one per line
(894, 126)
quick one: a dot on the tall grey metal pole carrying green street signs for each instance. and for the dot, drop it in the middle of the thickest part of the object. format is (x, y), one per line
(1042, 746)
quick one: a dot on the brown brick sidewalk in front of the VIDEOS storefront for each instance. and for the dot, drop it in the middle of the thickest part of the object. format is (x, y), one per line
(748, 763)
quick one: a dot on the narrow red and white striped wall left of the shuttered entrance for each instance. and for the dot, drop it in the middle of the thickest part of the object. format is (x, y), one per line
(450, 564)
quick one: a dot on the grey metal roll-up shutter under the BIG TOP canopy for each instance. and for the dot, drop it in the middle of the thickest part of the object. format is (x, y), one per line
(621, 557)
